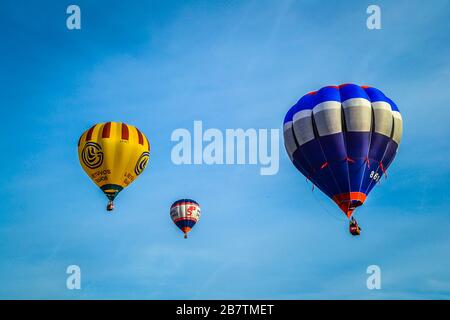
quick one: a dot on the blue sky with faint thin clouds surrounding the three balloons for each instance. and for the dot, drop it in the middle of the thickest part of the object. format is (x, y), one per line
(232, 64)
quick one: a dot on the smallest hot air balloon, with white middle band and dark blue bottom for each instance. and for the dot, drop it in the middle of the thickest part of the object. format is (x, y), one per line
(185, 213)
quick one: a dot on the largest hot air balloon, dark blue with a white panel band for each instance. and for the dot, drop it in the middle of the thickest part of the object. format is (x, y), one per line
(343, 139)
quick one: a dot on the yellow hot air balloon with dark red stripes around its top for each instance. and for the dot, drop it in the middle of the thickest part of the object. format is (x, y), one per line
(113, 155)
